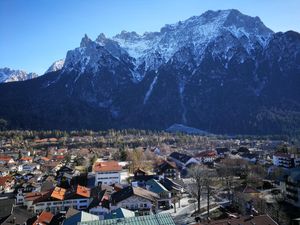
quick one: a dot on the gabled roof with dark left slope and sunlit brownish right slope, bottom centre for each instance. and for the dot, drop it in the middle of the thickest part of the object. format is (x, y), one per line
(130, 191)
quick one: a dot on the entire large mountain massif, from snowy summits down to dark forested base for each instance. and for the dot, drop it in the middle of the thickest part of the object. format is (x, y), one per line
(222, 72)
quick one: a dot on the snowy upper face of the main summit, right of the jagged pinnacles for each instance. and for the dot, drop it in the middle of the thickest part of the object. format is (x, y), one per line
(197, 31)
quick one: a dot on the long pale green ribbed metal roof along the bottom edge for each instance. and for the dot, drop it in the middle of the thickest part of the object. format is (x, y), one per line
(156, 219)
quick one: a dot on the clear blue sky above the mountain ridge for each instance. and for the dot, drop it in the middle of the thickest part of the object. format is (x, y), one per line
(35, 33)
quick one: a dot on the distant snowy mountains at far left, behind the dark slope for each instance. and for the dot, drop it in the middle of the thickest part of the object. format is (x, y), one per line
(9, 75)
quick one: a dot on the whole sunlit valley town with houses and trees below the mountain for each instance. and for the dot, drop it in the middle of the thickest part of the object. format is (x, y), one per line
(147, 177)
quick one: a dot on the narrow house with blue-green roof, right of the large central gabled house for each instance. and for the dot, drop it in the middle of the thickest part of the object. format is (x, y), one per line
(164, 200)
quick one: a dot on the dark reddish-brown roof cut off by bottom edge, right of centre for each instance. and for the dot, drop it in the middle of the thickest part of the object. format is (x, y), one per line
(245, 220)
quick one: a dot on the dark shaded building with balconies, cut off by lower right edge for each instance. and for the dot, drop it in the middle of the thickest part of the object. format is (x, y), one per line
(290, 186)
